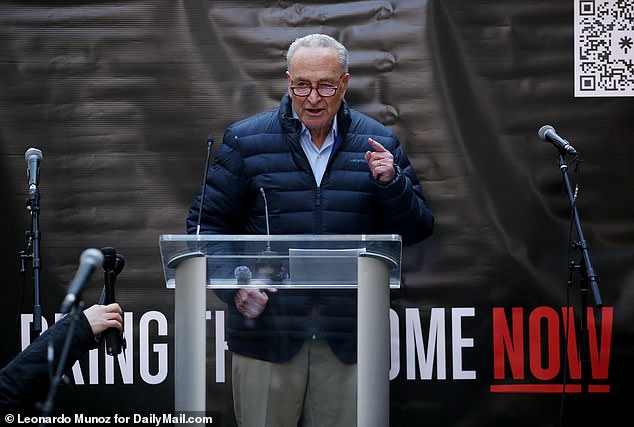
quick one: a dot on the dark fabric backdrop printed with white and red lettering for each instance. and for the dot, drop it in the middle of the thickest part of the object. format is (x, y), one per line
(120, 98)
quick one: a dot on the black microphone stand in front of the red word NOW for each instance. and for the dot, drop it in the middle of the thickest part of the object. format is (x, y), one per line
(588, 277)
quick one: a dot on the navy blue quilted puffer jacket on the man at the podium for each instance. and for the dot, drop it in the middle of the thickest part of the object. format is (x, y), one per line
(264, 152)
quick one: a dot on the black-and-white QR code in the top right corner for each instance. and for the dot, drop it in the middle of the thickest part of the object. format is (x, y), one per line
(604, 48)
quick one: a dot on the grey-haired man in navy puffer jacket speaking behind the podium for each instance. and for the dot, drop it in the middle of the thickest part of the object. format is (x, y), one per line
(311, 166)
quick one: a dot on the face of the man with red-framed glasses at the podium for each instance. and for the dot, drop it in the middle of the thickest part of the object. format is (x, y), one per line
(317, 67)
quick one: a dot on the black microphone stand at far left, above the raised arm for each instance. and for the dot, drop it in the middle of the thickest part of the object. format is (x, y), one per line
(33, 253)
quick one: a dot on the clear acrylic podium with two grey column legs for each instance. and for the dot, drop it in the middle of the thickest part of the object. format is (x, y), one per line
(369, 263)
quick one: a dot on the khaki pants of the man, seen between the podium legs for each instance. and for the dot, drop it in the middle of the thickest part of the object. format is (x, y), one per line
(314, 387)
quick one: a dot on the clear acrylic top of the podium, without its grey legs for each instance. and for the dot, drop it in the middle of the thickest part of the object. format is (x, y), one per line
(293, 252)
